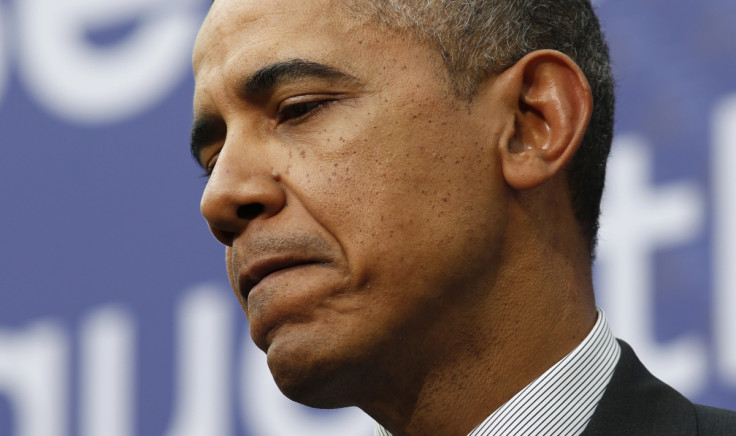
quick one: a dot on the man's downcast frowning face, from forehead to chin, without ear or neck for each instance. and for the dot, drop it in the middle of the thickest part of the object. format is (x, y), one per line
(361, 203)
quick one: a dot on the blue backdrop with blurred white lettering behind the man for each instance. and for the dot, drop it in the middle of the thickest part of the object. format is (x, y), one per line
(116, 318)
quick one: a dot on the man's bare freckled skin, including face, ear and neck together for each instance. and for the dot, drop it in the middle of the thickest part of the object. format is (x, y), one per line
(393, 247)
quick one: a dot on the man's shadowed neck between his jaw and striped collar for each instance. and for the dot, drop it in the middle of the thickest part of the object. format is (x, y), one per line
(540, 309)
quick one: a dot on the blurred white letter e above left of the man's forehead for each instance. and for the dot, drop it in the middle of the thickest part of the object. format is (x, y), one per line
(80, 81)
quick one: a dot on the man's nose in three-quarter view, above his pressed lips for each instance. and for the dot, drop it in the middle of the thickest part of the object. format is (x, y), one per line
(236, 195)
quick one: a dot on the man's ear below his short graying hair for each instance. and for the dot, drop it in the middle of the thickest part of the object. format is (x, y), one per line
(552, 101)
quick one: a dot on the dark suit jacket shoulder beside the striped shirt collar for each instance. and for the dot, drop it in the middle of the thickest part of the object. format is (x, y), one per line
(638, 404)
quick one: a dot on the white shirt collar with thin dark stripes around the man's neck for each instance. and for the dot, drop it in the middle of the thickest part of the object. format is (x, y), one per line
(562, 400)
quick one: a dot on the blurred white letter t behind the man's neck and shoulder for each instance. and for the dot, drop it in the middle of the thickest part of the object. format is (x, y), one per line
(636, 221)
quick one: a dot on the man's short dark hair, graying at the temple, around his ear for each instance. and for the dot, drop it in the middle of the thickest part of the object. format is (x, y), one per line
(481, 38)
